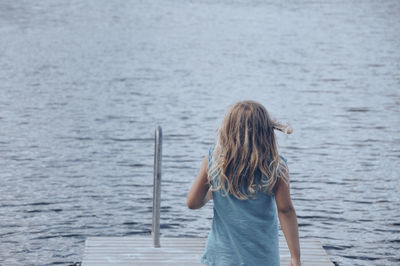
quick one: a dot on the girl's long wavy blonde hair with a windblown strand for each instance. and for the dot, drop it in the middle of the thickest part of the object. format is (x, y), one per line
(246, 149)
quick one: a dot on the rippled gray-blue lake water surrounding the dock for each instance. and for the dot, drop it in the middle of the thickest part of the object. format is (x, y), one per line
(83, 84)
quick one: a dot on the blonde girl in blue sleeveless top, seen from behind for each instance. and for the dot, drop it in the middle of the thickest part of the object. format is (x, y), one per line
(249, 183)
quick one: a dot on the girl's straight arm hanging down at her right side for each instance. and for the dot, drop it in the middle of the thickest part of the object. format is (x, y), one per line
(288, 219)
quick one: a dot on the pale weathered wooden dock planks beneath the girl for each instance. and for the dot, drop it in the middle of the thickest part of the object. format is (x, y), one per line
(139, 250)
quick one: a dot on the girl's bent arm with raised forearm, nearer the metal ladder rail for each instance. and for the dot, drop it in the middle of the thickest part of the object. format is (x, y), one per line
(200, 193)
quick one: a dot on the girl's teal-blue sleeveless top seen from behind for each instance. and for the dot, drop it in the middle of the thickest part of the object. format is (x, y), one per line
(243, 232)
